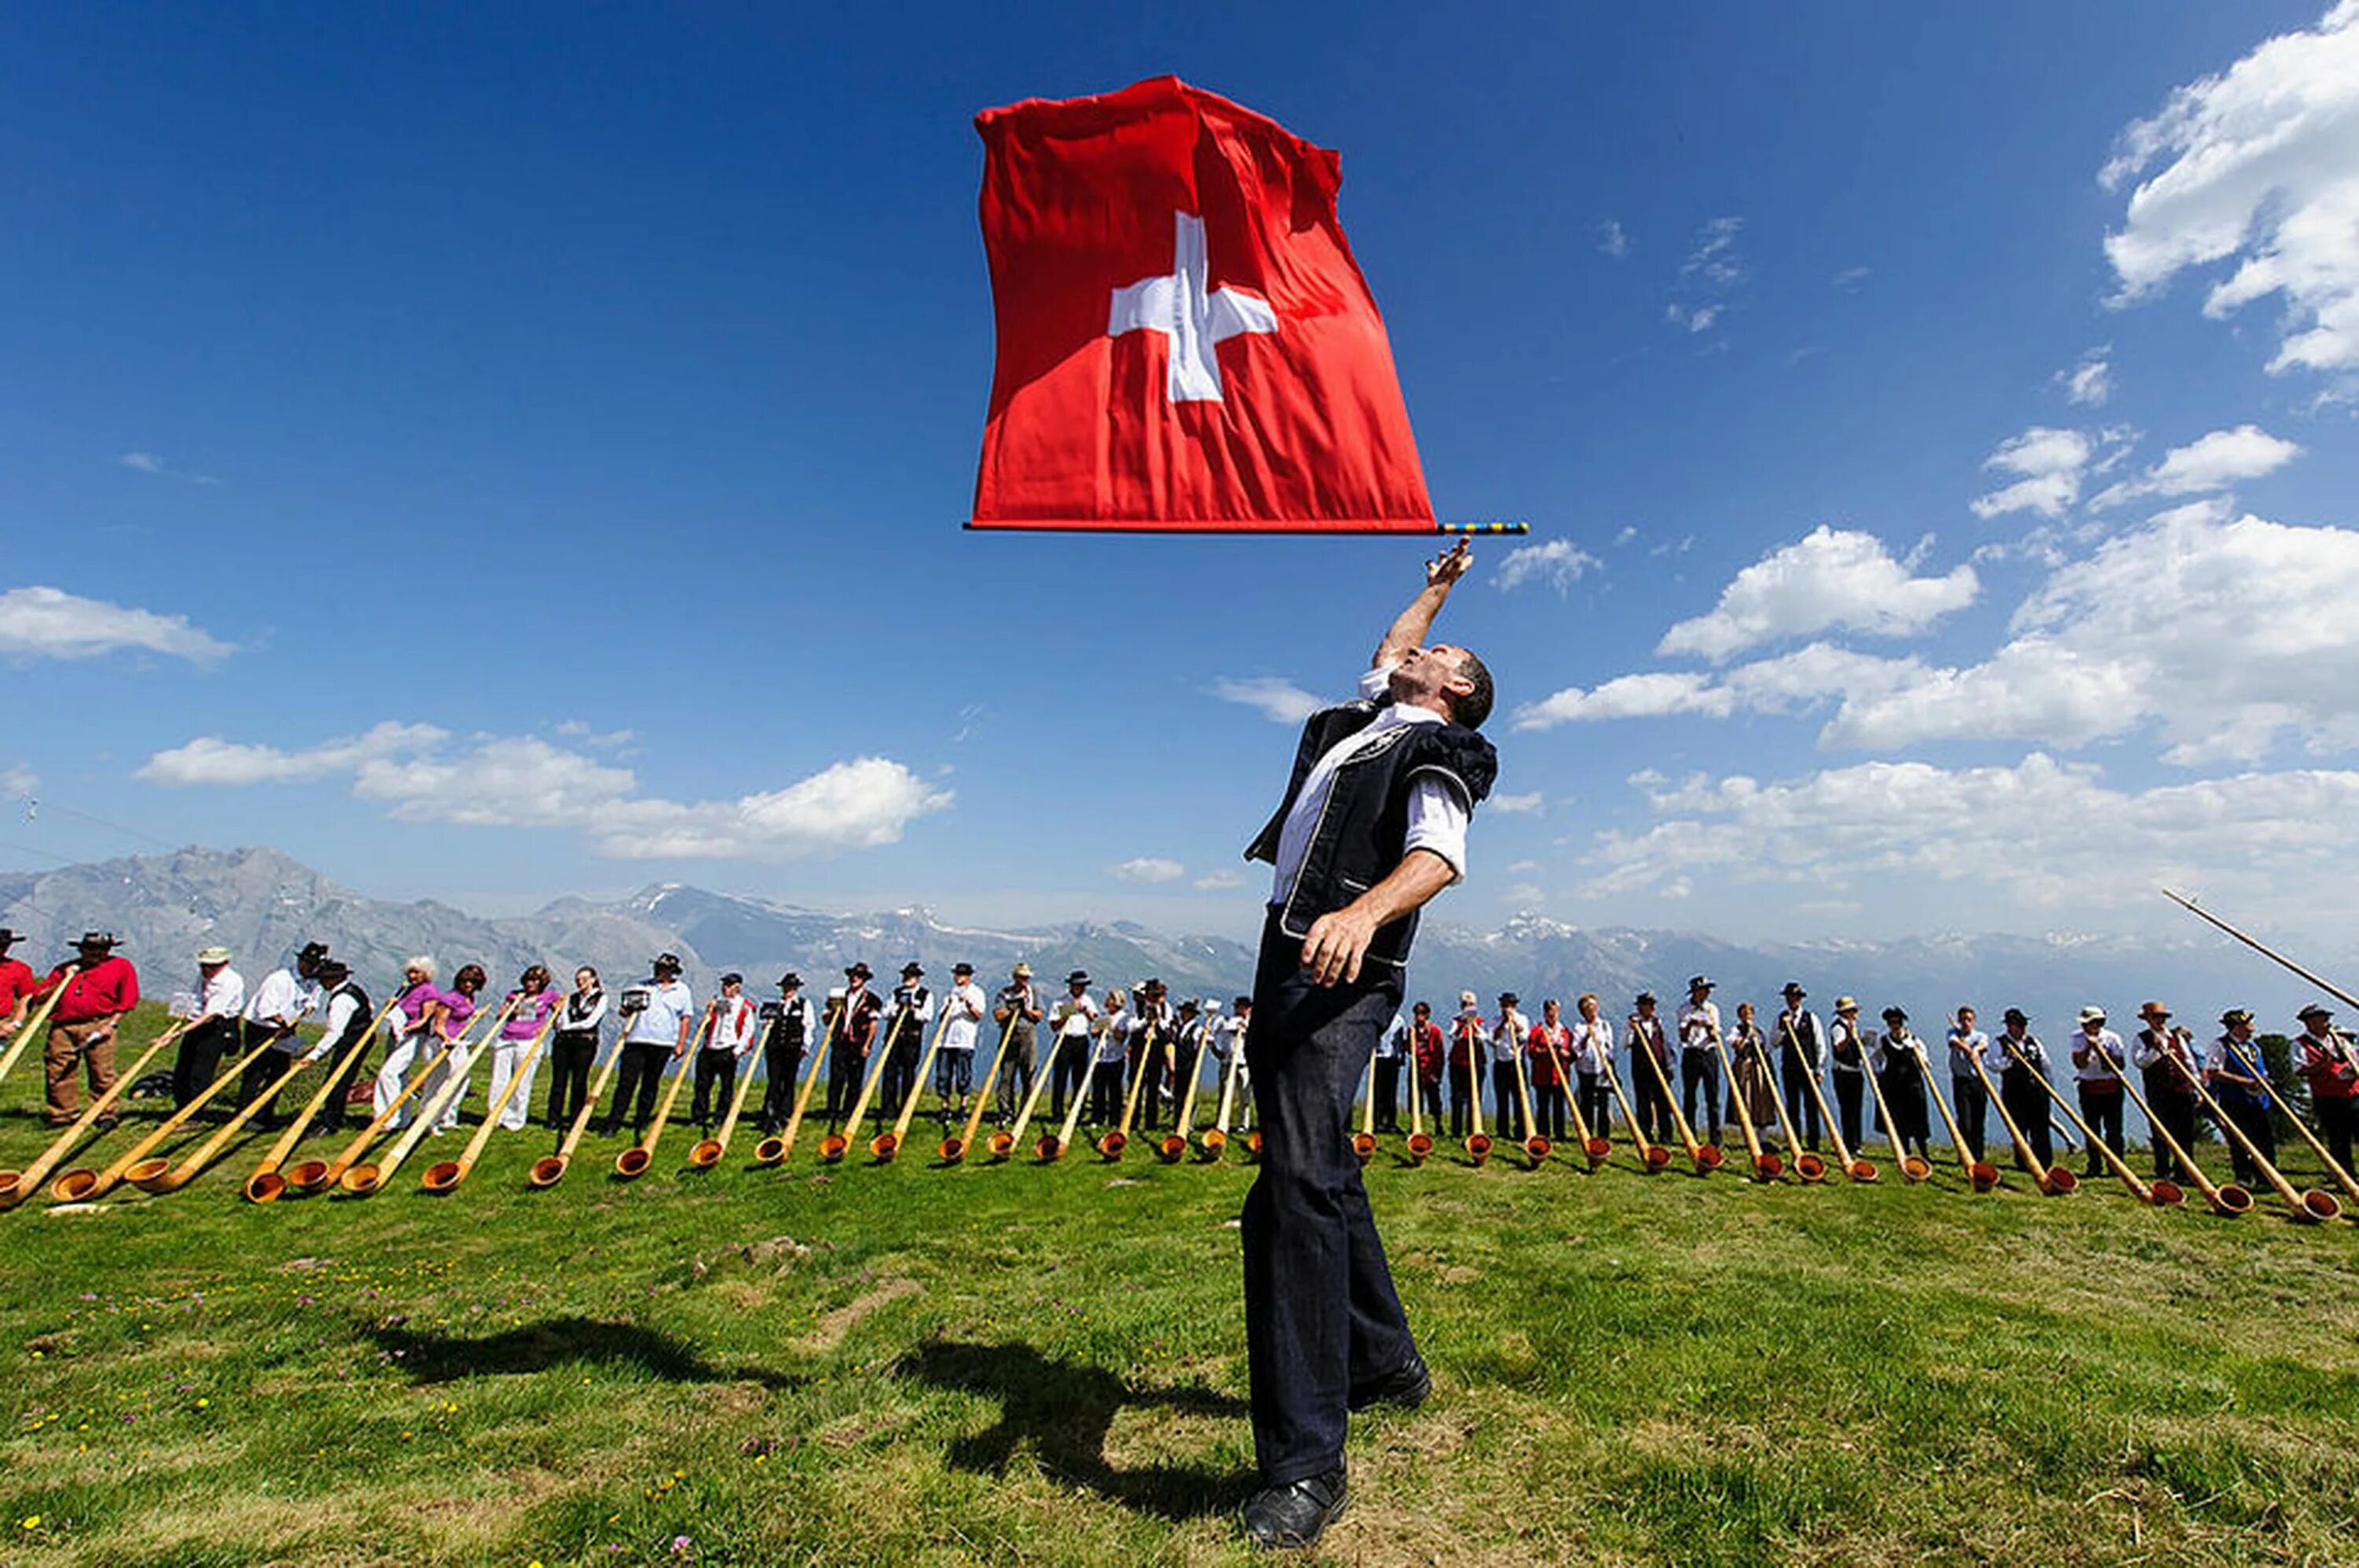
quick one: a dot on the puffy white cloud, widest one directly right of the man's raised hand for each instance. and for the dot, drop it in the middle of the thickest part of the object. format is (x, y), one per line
(1827, 579)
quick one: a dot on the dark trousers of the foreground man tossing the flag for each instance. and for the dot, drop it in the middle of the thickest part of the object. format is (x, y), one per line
(1320, 1307)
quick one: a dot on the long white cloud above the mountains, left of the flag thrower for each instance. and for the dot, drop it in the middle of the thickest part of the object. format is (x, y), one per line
(523, 782)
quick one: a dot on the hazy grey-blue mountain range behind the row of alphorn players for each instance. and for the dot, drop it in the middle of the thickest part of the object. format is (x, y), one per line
(263, 904)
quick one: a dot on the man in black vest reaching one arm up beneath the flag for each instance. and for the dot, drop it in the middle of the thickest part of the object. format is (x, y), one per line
(1372, 826)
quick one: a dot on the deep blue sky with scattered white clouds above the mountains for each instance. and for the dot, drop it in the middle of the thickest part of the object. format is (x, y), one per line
(508, 454)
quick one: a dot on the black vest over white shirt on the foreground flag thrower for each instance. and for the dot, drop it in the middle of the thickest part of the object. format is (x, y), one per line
(1365, 829)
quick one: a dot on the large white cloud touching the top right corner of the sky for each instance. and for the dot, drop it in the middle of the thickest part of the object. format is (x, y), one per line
(2256, 164)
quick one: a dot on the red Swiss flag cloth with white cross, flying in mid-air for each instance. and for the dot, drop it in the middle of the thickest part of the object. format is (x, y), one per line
(1183, 336)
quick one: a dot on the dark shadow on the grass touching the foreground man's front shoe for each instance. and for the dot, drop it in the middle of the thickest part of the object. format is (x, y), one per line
(1063, 1411)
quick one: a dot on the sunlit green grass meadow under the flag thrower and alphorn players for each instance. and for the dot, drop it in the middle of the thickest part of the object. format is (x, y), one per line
(1044, 1364)
